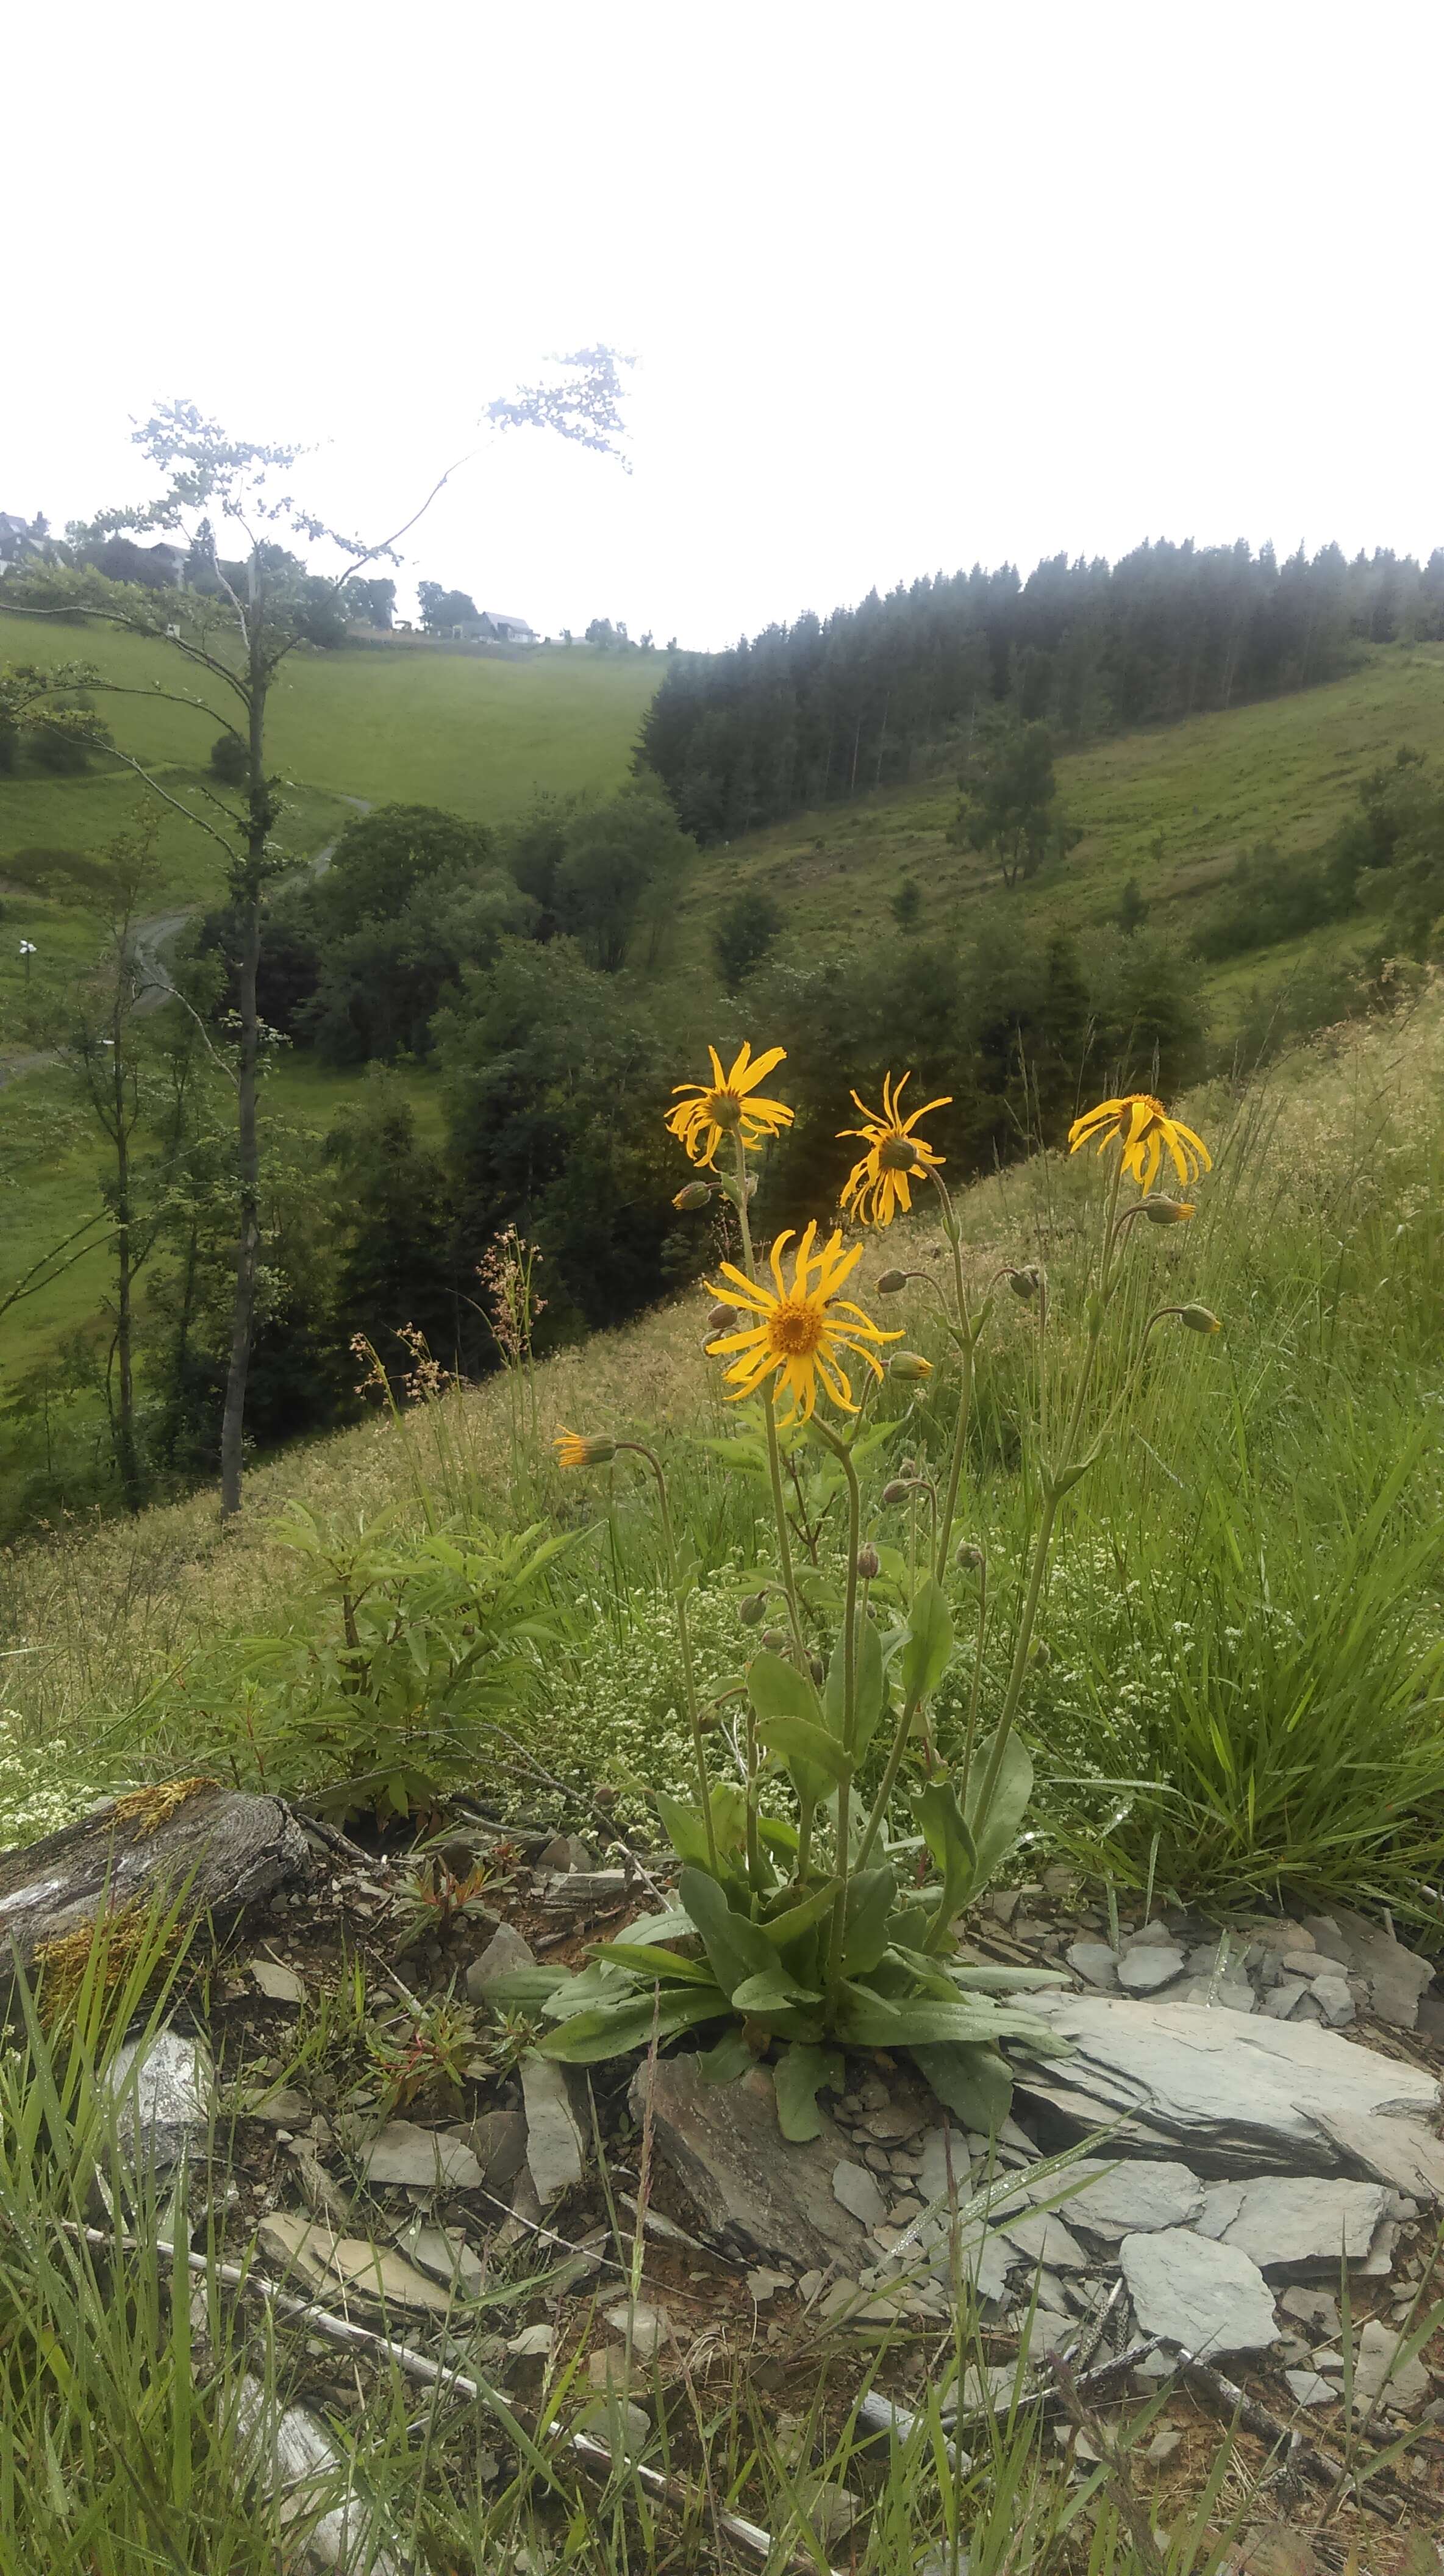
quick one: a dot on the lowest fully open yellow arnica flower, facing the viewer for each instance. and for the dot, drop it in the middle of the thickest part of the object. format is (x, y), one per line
(799, 1331)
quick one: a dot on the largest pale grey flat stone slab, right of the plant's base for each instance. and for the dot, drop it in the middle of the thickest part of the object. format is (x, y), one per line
(1229, 2093)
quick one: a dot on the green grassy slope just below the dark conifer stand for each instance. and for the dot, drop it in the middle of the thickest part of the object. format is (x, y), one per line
(1170, 808)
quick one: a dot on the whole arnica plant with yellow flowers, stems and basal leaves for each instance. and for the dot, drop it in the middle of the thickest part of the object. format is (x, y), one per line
(825, 1877)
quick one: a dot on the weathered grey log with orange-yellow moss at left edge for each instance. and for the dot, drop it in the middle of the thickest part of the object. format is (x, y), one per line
(210, 1848)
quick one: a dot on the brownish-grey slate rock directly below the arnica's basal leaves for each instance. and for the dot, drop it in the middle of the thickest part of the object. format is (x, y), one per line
(753, 2188)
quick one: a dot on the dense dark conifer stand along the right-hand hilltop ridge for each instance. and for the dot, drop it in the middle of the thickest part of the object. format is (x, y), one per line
(822, 710)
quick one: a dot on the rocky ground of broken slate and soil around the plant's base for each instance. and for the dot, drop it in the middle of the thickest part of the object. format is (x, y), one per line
(1221, 2201)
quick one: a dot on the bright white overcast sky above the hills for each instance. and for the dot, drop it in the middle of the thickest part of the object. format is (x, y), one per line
(910, 285)
